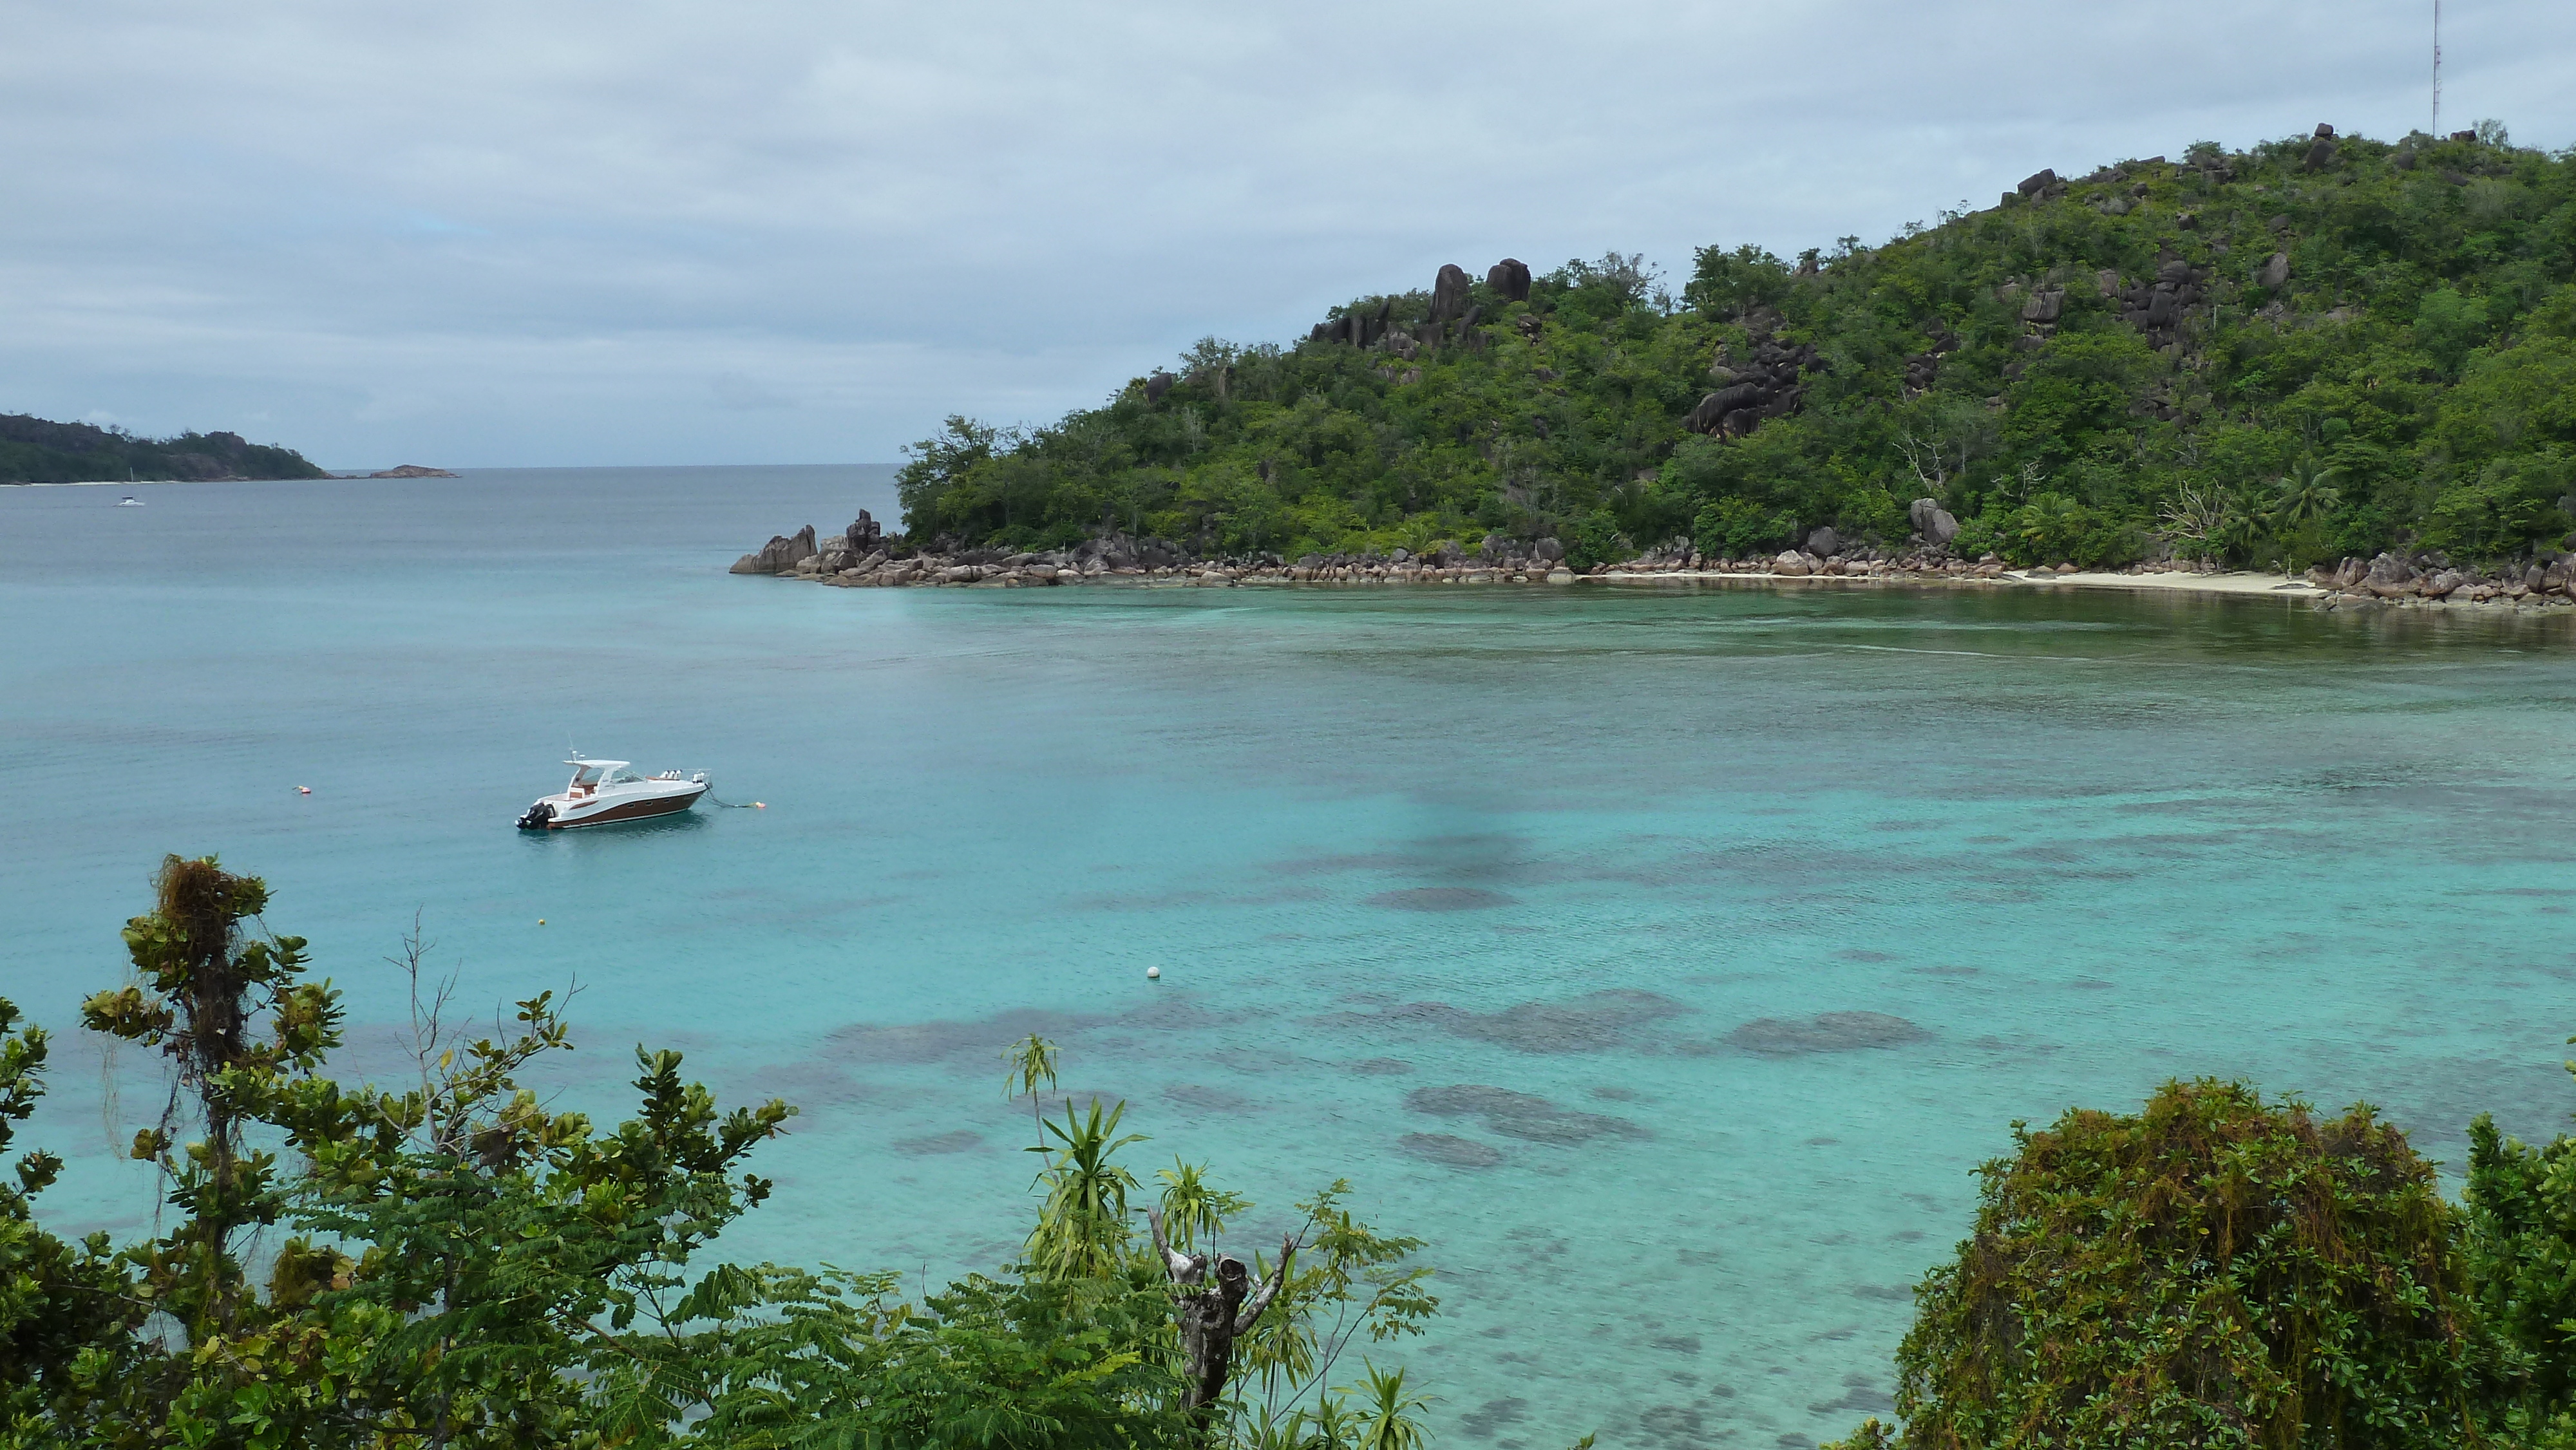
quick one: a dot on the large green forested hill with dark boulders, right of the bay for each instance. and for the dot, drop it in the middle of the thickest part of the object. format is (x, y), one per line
(2315, 349)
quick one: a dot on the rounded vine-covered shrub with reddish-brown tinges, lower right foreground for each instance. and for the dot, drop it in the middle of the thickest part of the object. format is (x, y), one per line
(2211, 1271)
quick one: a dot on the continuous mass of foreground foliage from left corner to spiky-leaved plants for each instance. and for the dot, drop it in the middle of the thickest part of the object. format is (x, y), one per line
(473, 1271)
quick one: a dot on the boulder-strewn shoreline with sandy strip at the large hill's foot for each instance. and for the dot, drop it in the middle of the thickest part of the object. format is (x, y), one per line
(862, 558)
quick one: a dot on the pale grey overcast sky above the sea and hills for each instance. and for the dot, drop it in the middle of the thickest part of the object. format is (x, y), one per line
(800, 233)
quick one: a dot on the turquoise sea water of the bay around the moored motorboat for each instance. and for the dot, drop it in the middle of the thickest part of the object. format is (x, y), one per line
(1604, 856)
